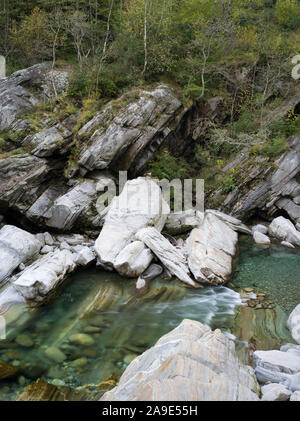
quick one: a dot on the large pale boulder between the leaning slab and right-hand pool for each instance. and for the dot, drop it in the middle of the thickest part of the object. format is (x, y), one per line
(210, 249)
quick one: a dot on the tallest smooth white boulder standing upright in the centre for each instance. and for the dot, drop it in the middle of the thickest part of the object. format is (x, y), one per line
(139, 205)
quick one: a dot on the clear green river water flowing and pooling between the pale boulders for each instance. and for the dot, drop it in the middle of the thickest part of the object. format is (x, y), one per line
(121, 324)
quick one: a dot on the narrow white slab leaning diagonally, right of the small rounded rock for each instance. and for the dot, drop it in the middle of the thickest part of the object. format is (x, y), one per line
(172, 258)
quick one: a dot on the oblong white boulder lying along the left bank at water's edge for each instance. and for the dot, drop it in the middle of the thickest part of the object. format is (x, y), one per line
(41, 278)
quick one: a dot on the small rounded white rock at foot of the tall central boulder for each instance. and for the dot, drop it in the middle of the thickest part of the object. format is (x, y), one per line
(133, 260)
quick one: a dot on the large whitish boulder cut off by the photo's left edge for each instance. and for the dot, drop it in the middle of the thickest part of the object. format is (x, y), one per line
(16, 246)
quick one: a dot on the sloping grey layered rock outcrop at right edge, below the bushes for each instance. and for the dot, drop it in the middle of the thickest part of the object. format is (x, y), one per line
(269, 191)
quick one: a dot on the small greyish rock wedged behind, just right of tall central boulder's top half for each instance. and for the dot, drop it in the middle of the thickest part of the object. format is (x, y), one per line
(182, 222)
